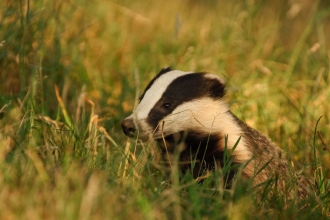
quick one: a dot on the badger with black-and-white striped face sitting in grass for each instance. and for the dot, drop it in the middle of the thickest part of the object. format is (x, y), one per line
(188, 110)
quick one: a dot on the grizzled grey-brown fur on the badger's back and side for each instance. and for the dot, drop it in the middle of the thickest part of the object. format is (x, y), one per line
(265, 151)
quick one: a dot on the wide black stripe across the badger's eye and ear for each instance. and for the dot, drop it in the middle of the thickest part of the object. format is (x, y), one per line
(184, 89)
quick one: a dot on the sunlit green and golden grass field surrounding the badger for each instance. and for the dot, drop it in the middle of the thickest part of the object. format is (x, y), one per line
(71, 72)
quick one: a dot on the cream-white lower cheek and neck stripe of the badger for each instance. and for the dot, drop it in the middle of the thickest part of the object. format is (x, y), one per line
(207, 116)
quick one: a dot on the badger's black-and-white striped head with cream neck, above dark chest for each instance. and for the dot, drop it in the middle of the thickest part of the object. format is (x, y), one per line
(175, 102)
